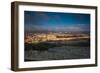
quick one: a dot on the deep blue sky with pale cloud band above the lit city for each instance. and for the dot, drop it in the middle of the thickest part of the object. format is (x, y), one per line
(54, 21)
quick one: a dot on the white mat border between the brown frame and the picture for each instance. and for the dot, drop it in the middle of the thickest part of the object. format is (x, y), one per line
(33, 64)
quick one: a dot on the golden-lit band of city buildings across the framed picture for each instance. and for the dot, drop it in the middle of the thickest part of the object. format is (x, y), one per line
(43, 37)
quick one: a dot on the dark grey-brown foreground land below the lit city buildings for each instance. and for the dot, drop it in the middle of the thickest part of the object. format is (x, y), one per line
(57, 50)
